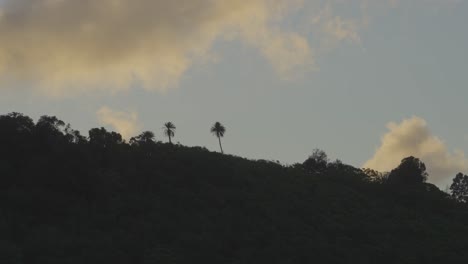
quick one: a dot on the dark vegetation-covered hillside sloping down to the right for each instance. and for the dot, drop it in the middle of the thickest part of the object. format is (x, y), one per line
(65, 198)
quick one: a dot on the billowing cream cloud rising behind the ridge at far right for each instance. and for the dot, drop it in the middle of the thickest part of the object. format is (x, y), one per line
(412, 137)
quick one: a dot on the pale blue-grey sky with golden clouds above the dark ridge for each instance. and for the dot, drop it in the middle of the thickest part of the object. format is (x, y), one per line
(369, 82)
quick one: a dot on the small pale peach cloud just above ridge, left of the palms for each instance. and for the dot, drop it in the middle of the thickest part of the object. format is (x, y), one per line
(126, 123)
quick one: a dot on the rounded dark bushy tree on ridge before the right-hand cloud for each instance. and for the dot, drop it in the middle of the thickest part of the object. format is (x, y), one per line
(410, 171)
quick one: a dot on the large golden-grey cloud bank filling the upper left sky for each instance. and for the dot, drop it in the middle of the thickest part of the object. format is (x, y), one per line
(74, 46)
